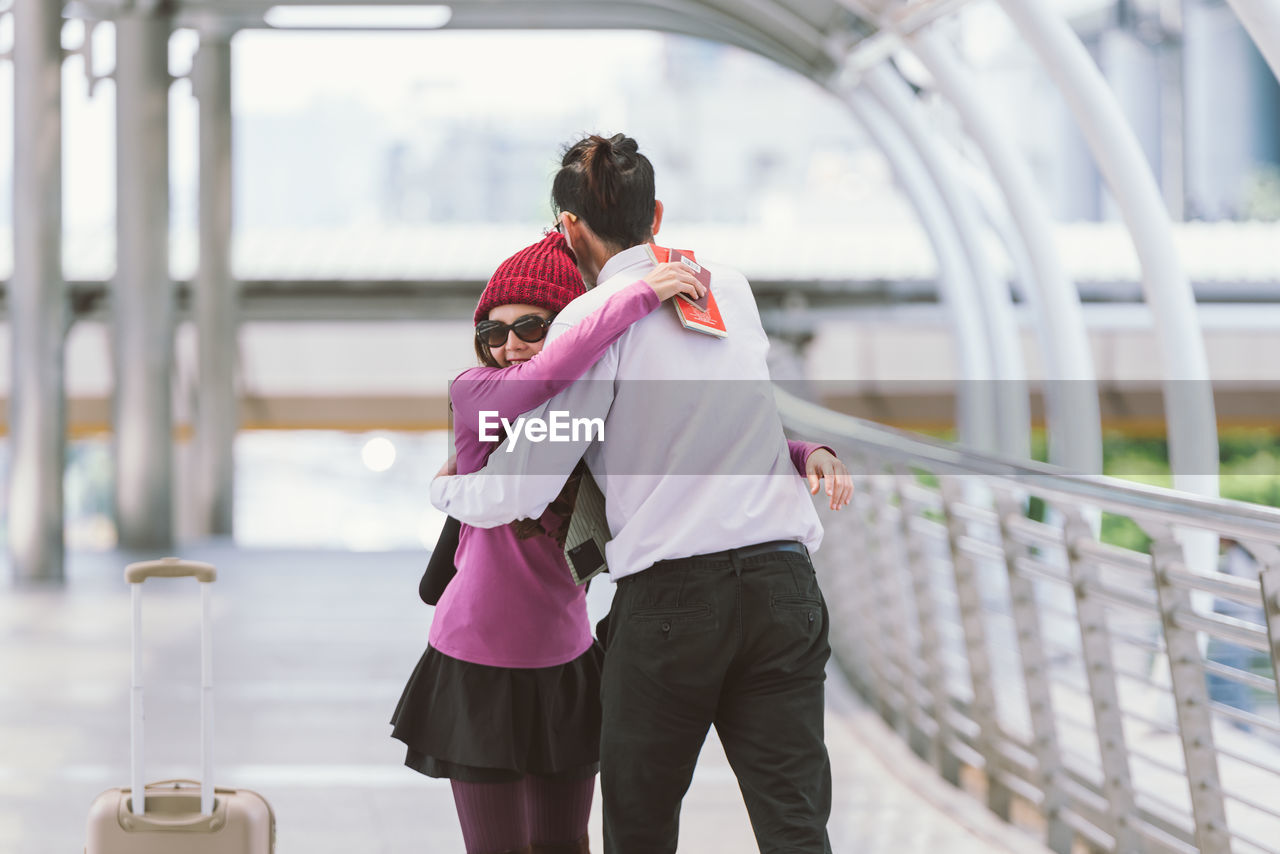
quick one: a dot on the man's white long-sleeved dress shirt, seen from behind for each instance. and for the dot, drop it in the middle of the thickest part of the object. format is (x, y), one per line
(693, 460)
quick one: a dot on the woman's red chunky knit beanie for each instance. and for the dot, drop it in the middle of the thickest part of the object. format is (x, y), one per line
(543, 275)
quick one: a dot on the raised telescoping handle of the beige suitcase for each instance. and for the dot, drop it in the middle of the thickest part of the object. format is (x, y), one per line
(173, 568)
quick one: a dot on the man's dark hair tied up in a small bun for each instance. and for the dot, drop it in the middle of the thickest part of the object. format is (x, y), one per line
(609, 184)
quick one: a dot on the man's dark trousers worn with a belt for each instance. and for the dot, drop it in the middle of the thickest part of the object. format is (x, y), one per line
(734, 643)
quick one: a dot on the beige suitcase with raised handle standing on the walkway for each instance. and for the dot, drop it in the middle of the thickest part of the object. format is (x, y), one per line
(179, 816)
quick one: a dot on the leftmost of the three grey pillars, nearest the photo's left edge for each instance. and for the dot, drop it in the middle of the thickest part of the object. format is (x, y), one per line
(38, 299)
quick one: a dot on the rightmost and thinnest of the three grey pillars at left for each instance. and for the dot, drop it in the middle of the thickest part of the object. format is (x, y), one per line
(216, 294)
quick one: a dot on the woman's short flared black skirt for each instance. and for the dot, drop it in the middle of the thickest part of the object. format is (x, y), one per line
(479, 724)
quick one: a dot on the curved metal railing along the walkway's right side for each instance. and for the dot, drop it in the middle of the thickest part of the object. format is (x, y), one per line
(1113, 698)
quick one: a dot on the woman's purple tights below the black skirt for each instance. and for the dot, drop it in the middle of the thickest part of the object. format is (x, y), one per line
(536, 811)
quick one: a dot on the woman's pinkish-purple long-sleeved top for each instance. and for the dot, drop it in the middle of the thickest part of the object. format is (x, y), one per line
(514, 602)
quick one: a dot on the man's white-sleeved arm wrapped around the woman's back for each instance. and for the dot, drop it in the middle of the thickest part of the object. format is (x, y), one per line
(523, 477)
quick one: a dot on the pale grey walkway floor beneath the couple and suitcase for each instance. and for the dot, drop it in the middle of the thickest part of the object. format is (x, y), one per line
(312, 651)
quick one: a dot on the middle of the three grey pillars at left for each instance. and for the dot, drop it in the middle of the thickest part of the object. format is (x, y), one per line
(143, 299)
